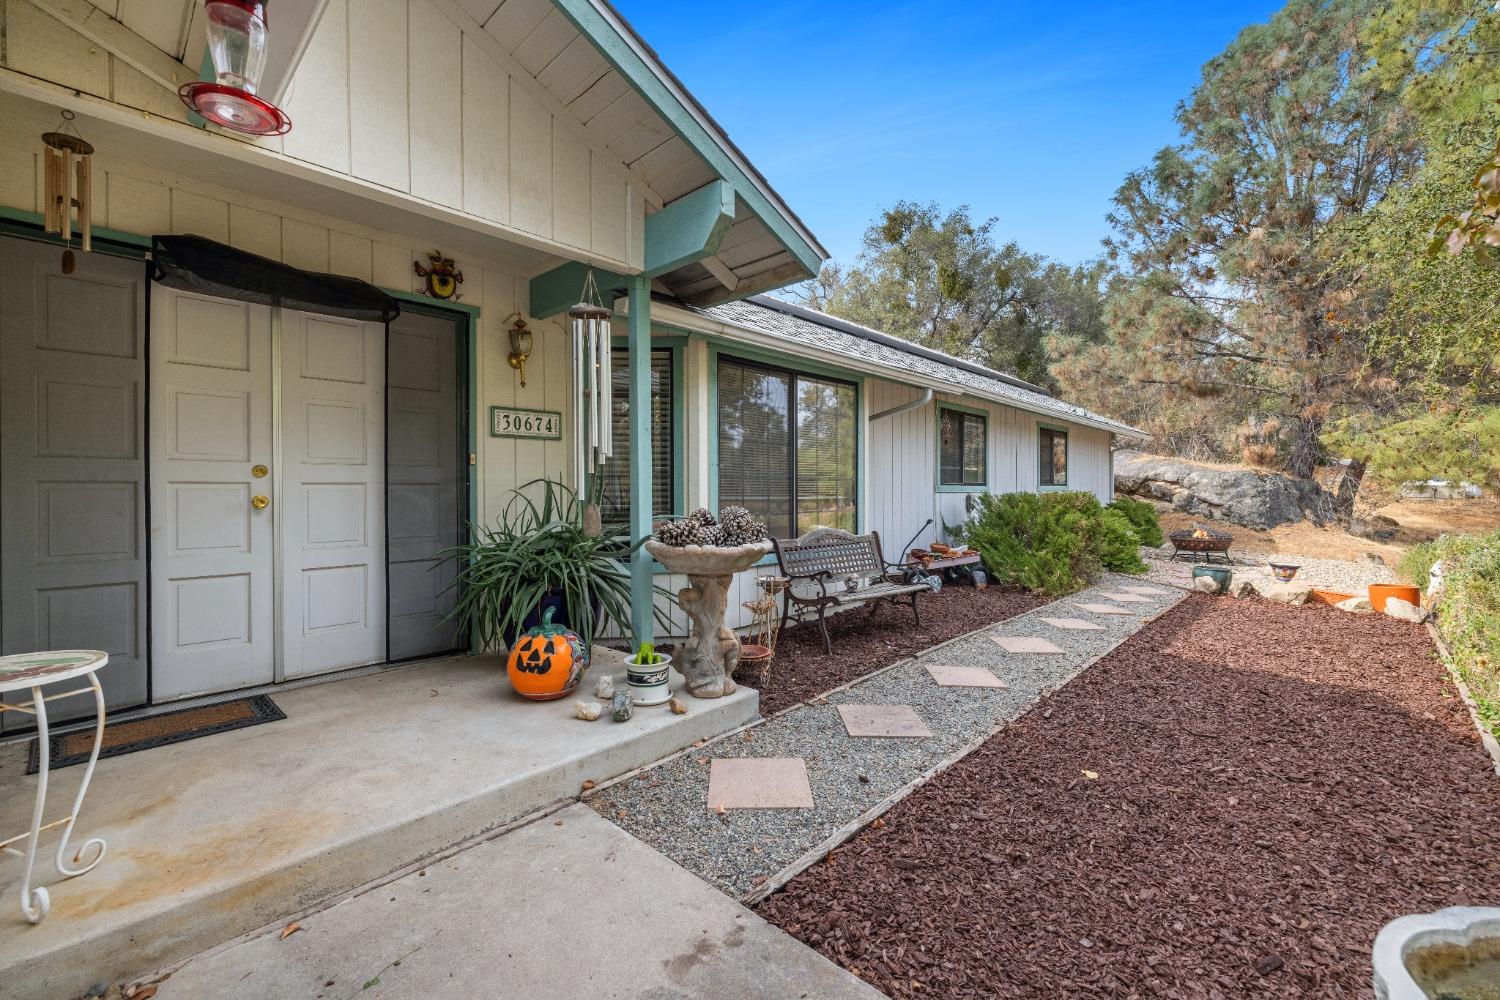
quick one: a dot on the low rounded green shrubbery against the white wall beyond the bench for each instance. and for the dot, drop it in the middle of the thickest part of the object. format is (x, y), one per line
(1051, 543)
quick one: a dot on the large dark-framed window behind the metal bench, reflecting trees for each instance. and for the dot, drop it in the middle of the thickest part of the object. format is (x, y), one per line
(788, 448)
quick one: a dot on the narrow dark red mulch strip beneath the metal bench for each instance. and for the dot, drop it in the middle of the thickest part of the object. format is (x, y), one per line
(865, 644)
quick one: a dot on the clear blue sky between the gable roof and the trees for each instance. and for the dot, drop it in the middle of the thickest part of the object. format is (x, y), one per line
(1030, 113)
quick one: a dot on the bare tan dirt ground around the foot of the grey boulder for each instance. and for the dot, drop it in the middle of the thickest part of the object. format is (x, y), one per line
(1421, 521)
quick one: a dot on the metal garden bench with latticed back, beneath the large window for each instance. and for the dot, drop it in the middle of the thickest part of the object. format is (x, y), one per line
(832, 557)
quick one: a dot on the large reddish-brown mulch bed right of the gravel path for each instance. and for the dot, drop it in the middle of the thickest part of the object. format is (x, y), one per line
(1273, 786)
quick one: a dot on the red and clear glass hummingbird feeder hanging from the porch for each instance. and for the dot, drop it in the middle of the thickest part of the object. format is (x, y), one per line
(238, 49)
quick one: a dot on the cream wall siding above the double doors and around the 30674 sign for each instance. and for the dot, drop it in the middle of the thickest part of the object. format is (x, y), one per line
(142, 200)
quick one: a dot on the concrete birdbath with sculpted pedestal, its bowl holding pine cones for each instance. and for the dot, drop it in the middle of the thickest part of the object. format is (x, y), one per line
(712, 651)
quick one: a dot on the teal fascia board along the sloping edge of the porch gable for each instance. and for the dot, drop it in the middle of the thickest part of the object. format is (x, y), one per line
(625, 52)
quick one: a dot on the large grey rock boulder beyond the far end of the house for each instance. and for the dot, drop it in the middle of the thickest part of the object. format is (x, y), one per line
(1241, 497)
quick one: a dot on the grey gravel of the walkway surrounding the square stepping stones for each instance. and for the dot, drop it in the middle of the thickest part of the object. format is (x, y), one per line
(739, 851)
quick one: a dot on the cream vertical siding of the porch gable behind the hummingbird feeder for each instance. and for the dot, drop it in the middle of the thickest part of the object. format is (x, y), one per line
(410, 97)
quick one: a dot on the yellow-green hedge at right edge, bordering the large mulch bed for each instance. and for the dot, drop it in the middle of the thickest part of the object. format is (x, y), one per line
(1469, 615)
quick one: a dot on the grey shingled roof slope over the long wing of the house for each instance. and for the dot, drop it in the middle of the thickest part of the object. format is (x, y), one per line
(844, 340)
